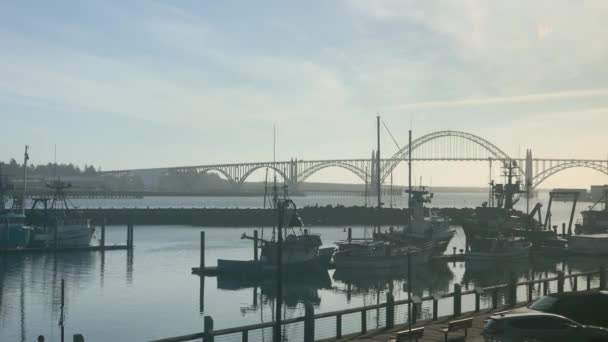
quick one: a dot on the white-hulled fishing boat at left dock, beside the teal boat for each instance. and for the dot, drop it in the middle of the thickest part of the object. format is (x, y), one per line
(62, 224)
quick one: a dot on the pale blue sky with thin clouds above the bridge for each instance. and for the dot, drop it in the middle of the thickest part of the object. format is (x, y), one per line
(138, 84)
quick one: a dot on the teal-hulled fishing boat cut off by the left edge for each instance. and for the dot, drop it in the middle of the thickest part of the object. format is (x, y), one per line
(13, 231)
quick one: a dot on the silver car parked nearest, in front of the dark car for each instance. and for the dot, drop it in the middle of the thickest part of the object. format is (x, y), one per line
(538, 326)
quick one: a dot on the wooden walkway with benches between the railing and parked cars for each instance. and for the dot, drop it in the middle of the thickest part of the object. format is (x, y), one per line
(432, 329)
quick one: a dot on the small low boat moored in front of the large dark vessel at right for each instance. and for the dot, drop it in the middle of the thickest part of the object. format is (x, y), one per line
(500, 248)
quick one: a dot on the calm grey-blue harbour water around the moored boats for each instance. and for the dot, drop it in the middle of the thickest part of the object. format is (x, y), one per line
(150, 293)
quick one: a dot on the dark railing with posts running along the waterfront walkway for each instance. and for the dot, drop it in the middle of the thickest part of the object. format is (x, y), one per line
(540, 286)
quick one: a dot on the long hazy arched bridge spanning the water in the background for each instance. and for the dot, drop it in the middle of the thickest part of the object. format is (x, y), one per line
(436, 146)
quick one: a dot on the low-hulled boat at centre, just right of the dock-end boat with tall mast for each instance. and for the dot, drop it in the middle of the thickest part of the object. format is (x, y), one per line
(366, 255)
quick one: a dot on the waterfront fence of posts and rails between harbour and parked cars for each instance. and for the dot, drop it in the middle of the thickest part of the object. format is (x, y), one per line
(385, 316)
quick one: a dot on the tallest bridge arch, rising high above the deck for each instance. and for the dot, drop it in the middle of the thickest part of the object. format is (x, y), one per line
(403, 153)
